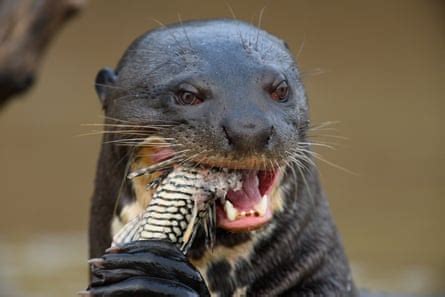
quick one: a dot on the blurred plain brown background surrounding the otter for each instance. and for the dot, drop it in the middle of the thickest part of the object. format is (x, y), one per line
(383, 80)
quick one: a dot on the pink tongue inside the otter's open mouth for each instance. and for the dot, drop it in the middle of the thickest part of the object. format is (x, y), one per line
(249, 194)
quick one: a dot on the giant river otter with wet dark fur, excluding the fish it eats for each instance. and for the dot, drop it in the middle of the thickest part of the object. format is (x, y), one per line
(225, 94)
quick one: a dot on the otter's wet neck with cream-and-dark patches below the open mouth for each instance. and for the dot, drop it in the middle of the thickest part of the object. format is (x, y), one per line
(301, 238)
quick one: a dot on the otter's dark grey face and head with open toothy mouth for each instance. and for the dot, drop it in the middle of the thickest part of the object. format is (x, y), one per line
(220, 93)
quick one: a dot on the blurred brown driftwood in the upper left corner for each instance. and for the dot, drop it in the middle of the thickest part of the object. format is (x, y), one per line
(26, 28)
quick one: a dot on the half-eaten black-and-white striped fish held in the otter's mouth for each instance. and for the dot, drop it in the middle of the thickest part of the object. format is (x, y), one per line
(183, 199)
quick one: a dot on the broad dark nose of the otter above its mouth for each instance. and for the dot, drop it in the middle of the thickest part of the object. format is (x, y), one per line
(248, 135)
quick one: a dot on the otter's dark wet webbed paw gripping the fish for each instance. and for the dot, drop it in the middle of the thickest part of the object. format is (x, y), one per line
(144, 268)
